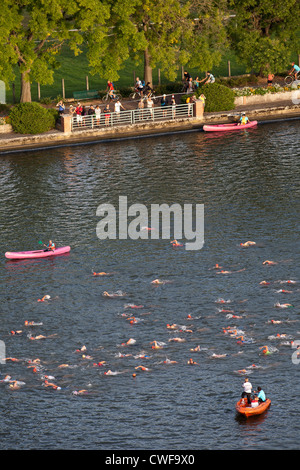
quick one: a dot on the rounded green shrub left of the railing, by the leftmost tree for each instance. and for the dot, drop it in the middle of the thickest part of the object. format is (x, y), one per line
(31, 118)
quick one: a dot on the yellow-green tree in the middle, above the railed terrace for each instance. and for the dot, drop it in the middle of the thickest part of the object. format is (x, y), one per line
(161, 33)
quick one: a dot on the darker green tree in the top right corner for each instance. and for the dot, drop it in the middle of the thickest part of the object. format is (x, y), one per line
(264, 33)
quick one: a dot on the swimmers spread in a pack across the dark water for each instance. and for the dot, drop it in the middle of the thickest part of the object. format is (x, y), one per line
(181, 333)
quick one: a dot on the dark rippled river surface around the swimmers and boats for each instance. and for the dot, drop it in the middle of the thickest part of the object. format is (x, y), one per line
(249, 185)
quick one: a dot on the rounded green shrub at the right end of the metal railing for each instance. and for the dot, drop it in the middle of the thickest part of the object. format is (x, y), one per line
(218, 97)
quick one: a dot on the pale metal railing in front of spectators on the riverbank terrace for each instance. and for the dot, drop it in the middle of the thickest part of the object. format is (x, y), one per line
(134, 116)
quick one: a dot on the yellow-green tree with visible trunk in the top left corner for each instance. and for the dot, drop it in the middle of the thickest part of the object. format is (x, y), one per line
(32, 33)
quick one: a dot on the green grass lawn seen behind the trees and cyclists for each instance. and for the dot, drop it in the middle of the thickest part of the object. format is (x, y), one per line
(75, 69)
